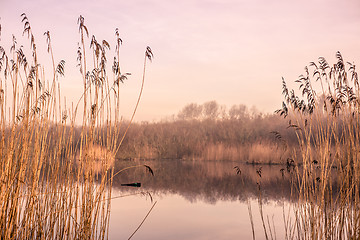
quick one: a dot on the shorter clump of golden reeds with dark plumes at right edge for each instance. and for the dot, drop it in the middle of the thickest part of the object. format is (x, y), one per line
(325, 116)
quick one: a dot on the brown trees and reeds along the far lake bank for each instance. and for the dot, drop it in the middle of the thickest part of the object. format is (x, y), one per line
(237, 134)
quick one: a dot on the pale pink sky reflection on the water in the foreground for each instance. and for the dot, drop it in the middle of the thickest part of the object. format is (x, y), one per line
(176, 218)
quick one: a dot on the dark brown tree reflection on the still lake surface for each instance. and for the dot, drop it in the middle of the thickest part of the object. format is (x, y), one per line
(208, 181)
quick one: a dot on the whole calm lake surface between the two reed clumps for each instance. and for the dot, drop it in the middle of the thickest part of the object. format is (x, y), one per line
(199, 200)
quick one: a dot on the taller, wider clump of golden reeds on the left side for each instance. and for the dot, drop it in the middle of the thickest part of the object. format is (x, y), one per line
(55, 181)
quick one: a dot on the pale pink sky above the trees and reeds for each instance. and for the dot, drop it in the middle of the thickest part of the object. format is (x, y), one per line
(234, 52)
